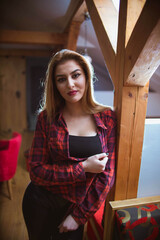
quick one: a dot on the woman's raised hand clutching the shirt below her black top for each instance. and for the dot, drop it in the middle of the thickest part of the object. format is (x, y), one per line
(95, 163)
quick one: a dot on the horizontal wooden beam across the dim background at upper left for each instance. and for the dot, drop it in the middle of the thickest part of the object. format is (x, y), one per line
(29, 37)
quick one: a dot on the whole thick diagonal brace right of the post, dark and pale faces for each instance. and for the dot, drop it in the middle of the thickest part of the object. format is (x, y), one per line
(145, 27)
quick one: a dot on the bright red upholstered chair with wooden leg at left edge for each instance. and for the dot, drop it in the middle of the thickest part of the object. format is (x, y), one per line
(9, 150)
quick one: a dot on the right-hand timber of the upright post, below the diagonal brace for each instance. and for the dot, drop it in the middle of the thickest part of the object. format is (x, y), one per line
(136, 143)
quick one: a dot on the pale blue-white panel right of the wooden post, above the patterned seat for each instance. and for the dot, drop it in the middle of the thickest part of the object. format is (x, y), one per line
(149, 179)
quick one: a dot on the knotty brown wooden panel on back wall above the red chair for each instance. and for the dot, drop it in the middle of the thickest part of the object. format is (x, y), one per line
(12, 94)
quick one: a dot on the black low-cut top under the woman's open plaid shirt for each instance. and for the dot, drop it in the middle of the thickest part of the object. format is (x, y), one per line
(82, 147)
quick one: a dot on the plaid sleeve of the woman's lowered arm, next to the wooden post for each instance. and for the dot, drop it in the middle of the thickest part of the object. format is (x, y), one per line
(103, 181)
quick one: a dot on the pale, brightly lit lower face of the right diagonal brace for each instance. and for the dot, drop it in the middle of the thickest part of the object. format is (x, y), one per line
(148, 60)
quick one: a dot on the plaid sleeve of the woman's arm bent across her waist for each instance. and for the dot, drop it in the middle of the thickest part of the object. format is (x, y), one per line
(57, 173)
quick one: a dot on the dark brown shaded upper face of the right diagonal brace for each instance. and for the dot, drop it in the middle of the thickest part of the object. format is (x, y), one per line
(146, 23)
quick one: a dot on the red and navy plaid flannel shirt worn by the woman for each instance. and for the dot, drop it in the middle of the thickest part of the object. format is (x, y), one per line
(52, 167)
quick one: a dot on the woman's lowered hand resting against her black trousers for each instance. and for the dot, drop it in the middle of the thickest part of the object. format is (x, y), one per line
(69, 224)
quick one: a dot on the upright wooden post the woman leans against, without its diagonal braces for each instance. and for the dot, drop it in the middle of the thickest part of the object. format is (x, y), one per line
(130, 104)
